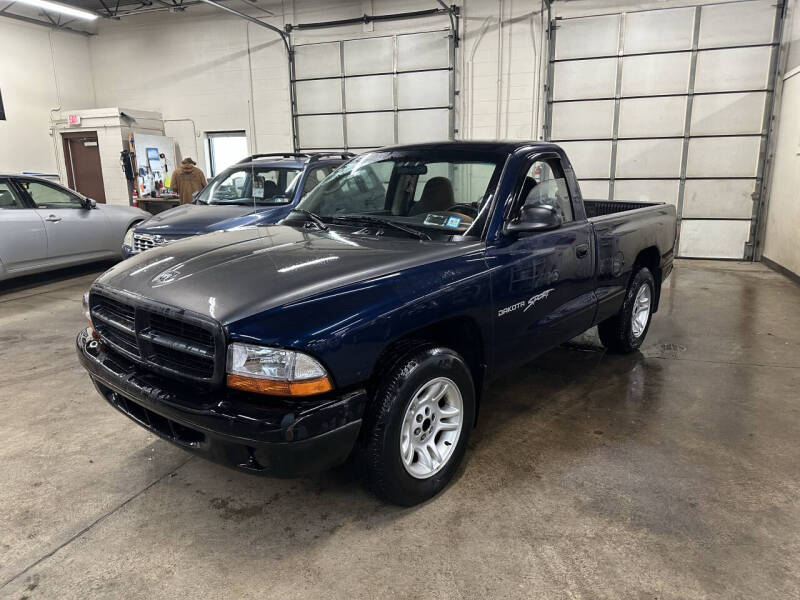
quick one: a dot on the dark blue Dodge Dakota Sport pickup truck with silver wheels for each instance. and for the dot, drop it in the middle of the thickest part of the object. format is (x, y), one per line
(369, 322)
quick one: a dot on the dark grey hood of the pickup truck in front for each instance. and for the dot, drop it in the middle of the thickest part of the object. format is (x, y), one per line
(229, 275)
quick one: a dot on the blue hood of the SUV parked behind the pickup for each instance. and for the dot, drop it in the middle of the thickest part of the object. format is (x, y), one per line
(193, 219)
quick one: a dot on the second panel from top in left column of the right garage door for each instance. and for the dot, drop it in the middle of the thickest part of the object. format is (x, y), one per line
(585, 79)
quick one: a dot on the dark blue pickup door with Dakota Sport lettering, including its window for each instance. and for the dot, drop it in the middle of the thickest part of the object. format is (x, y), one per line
(542, 282)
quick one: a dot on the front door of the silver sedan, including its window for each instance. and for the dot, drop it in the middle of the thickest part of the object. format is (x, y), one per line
(73, 230)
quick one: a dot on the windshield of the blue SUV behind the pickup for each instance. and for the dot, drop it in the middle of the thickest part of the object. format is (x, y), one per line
(259, 186)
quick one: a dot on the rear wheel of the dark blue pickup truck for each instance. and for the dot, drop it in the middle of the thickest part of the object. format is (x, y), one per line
(625, 331)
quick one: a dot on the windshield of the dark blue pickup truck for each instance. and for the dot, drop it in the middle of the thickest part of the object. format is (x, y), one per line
(432, 191)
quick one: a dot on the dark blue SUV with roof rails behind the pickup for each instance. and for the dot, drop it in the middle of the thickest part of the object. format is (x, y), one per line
(259, 189)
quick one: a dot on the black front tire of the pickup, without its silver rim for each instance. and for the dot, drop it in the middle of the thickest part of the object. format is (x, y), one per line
(386, 474)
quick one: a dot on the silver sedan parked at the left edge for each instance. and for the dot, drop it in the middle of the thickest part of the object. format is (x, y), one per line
(45, 226)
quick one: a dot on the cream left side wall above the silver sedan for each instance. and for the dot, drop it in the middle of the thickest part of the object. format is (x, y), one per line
(34, 80)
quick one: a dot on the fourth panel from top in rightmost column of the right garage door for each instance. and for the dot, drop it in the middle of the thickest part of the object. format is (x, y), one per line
(723, 157)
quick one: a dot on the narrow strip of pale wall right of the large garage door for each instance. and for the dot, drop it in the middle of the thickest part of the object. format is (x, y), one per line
(782, 238)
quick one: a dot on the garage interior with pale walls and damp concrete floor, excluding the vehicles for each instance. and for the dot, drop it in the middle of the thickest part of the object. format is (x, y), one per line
(671, 472)
